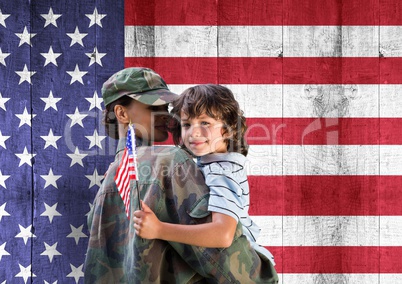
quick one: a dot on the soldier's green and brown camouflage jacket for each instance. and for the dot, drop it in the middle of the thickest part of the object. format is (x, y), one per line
(171, 184)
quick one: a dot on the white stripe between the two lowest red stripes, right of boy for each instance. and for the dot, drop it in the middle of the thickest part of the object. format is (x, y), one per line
(329, 230)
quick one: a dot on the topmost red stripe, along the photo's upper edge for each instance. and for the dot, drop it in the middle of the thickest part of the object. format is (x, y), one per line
(269, 12)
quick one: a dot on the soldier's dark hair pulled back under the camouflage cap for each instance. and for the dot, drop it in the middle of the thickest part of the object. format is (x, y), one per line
(109, 119)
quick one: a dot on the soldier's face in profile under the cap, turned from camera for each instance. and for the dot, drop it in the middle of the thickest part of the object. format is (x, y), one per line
(149, 121)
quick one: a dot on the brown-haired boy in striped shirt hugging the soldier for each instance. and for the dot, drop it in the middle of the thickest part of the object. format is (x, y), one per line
(212, 128)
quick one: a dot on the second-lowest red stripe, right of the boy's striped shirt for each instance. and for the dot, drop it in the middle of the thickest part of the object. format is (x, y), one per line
(321, 195)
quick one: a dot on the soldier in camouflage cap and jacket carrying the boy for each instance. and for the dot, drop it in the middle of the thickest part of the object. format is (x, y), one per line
(172, 186)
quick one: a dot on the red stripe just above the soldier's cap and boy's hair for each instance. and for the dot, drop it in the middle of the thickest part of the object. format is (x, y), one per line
(274, 70)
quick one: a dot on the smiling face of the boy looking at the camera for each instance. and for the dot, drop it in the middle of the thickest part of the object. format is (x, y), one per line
(202, 135)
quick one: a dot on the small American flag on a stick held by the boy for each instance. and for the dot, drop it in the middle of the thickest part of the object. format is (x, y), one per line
(126, 172)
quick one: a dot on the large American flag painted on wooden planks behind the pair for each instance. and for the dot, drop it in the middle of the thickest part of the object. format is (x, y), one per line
(320, 83)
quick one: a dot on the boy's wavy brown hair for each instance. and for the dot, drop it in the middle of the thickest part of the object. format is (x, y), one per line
(217, 102)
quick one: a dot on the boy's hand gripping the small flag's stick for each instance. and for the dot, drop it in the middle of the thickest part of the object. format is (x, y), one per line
(146, 224)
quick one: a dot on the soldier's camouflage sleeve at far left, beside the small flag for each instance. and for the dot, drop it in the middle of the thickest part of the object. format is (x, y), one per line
(108, 226)
